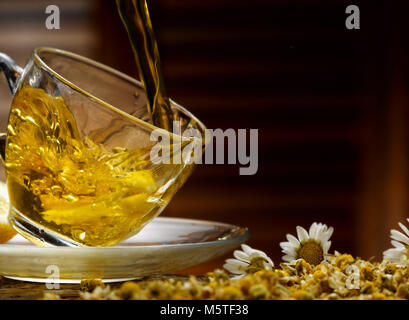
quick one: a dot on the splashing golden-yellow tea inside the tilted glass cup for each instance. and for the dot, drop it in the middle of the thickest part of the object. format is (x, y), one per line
(70, 185)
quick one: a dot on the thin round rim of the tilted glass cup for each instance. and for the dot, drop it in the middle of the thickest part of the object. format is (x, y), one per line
(42, 64)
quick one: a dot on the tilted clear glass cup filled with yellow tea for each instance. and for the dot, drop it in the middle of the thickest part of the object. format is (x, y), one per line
(78, 152)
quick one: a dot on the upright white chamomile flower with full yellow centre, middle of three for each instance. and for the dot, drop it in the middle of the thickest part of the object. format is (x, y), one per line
(311, 246)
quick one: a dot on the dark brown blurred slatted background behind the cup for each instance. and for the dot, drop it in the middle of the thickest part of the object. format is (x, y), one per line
(330, 104)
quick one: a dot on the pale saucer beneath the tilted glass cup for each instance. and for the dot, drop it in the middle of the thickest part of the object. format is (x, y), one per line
(165, 245)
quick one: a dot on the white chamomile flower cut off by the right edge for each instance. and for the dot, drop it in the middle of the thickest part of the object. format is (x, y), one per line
(400, 253)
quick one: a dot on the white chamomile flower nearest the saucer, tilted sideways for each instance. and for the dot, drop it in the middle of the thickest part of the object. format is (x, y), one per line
(248, 261)
